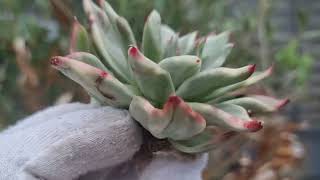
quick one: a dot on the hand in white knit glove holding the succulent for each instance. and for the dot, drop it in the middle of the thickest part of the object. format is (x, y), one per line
(79, 141)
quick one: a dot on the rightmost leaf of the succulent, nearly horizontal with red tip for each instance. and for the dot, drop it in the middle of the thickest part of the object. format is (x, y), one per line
(258, 103)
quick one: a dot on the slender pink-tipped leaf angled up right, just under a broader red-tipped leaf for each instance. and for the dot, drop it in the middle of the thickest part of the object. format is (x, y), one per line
(218, 94)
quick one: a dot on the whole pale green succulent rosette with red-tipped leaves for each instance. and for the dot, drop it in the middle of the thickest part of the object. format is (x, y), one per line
(174, 86)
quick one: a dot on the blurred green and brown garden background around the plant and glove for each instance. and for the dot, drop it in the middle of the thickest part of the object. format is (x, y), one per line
(285, 33)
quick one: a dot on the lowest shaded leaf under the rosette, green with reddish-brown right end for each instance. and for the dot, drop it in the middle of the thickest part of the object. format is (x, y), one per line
(209, 139)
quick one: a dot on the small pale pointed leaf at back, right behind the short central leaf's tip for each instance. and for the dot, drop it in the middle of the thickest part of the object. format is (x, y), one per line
(186, 43)
